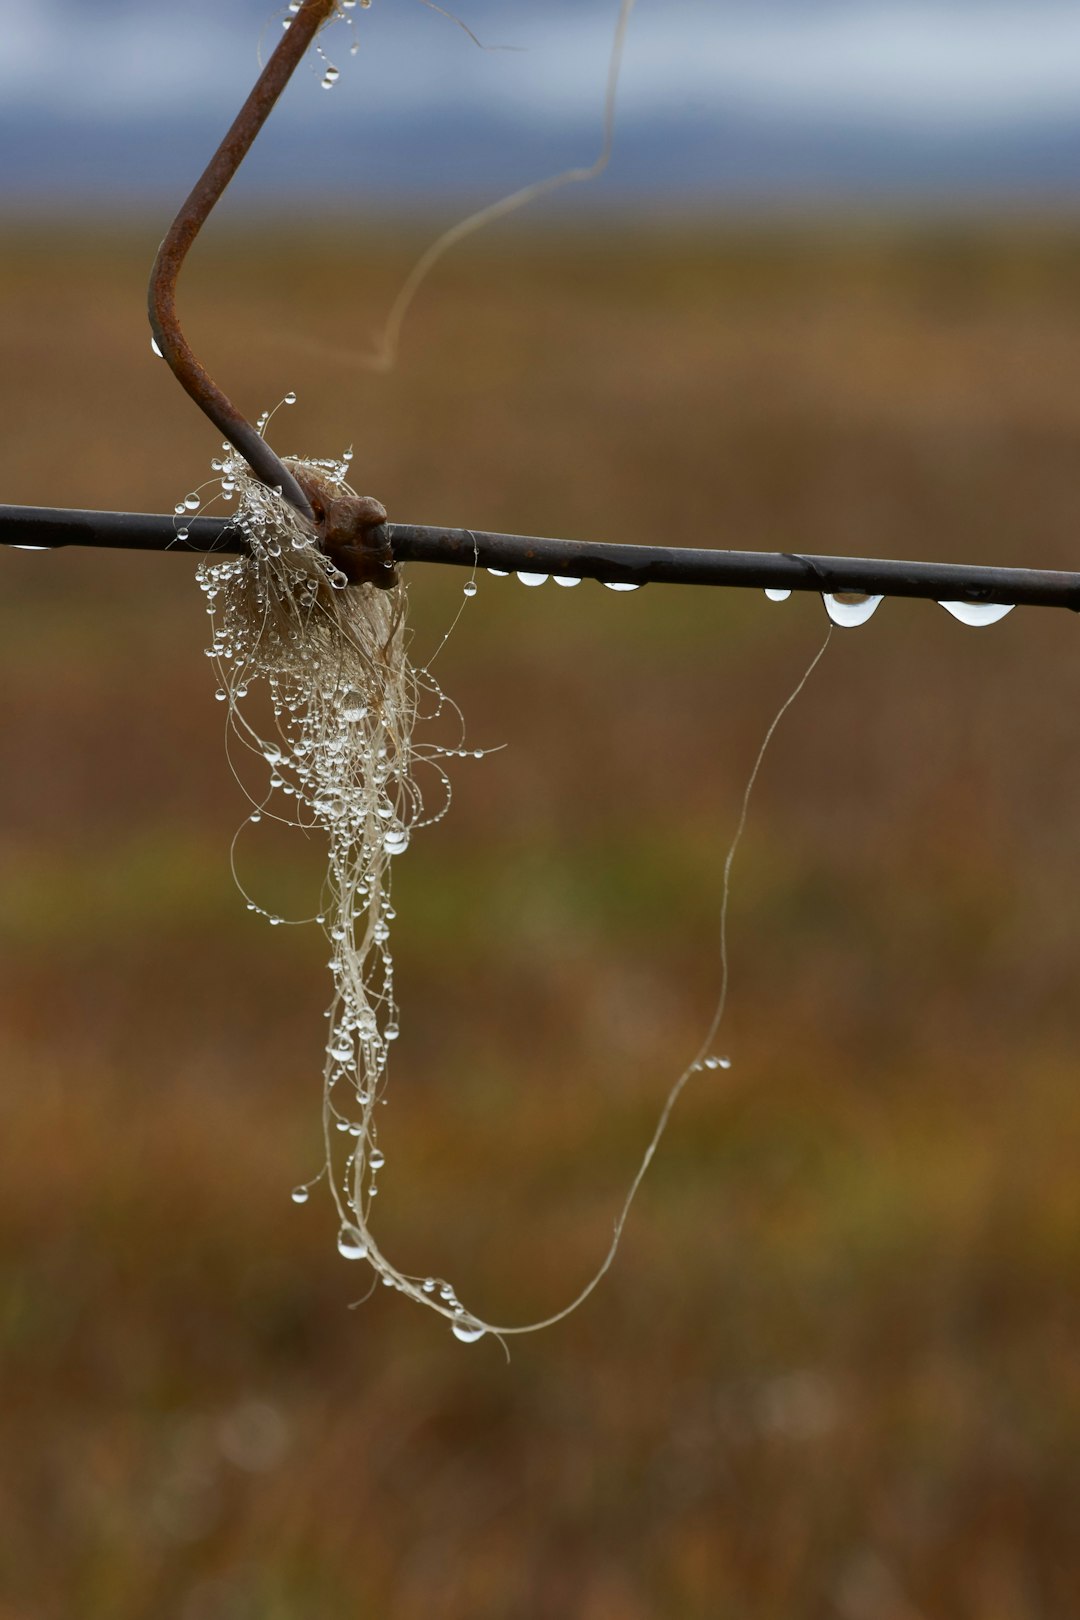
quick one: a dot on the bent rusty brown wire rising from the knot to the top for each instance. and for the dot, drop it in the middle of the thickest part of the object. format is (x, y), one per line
(163, 292)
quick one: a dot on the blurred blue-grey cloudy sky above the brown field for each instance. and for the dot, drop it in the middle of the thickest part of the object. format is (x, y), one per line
(723, 103)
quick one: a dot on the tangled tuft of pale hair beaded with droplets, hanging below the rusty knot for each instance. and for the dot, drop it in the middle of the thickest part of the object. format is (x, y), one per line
(342, 764)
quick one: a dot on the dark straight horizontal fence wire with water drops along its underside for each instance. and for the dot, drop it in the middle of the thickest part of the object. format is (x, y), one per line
(51, 529)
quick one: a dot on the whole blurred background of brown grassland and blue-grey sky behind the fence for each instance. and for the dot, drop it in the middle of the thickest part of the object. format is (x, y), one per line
(828, 299)
